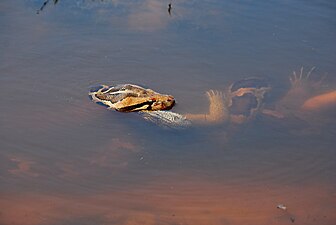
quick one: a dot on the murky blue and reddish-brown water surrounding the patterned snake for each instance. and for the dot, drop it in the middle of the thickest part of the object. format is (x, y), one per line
(65, 160)
